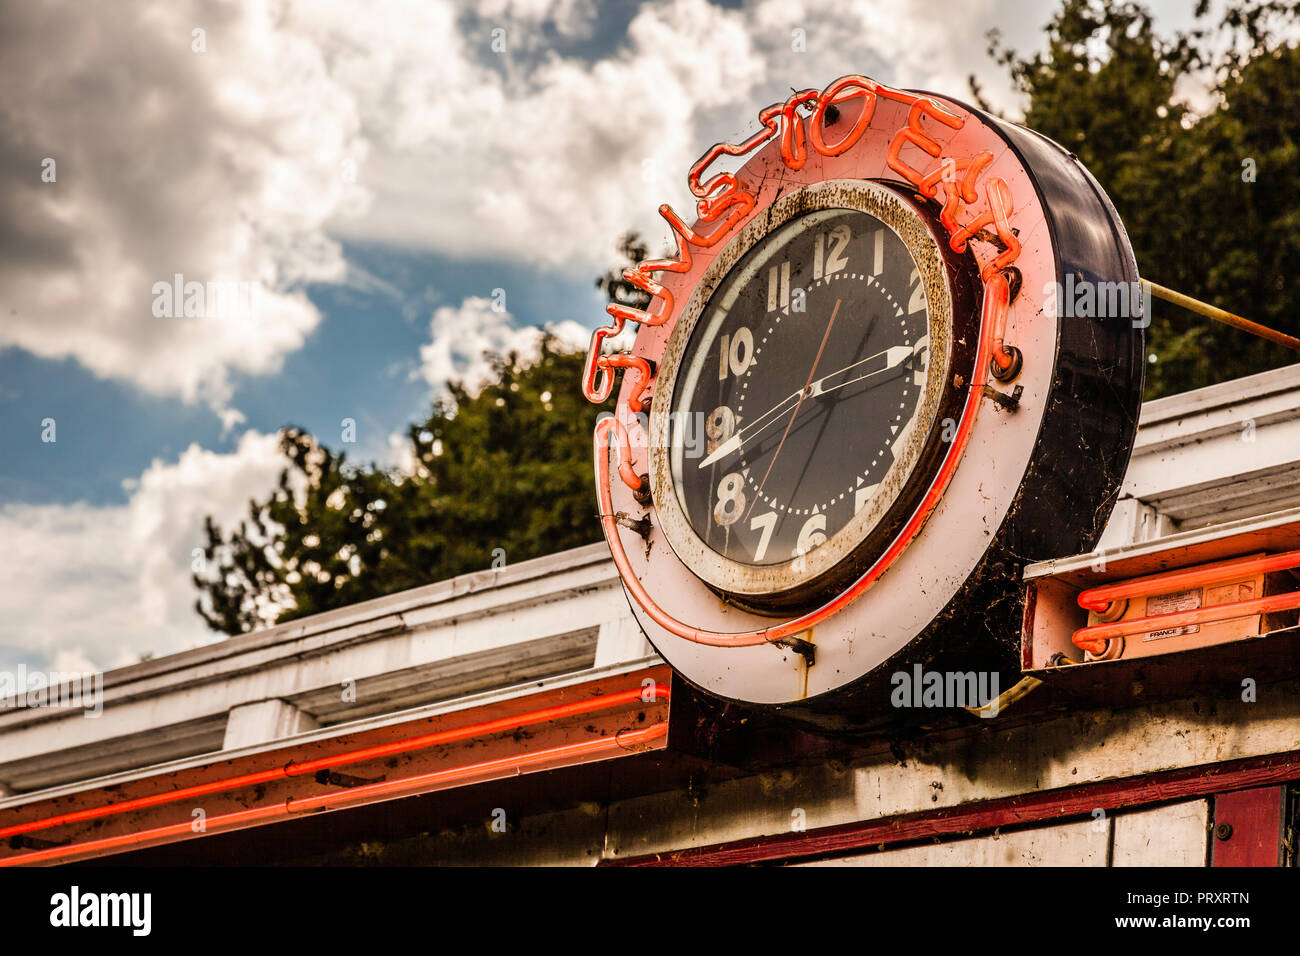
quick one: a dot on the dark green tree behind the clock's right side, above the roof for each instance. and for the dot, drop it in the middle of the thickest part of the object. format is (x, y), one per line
(1211, 200)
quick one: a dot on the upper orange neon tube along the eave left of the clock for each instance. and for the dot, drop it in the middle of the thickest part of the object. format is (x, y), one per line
(292, 769)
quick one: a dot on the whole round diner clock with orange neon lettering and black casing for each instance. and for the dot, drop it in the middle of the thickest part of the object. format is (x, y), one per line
(851, 413)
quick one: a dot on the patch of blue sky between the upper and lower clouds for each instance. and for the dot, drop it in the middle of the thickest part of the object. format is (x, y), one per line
(361, 362)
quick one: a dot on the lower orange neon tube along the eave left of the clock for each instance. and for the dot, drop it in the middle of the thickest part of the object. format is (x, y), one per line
(437, 780)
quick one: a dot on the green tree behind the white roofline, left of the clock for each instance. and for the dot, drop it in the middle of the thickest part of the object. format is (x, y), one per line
(508, 468)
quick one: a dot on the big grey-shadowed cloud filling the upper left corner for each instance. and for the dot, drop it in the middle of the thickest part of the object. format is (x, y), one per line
(135, 149)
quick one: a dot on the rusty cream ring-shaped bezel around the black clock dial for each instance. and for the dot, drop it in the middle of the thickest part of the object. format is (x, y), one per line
(954, 299)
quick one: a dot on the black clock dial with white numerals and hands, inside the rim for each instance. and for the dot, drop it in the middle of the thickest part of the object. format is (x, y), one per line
(804, 374)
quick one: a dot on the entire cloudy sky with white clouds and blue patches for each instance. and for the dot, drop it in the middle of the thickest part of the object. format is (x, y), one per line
(357, 180)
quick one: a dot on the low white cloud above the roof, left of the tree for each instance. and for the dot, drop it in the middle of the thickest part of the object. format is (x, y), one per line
(109, 583)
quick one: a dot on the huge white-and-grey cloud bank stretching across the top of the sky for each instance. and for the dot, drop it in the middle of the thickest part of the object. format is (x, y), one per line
(237, 142)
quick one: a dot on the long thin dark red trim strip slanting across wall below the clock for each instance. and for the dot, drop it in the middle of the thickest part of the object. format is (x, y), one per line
(990, 815)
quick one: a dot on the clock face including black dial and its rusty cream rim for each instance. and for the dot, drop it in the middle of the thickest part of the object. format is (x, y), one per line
(803, 396)
